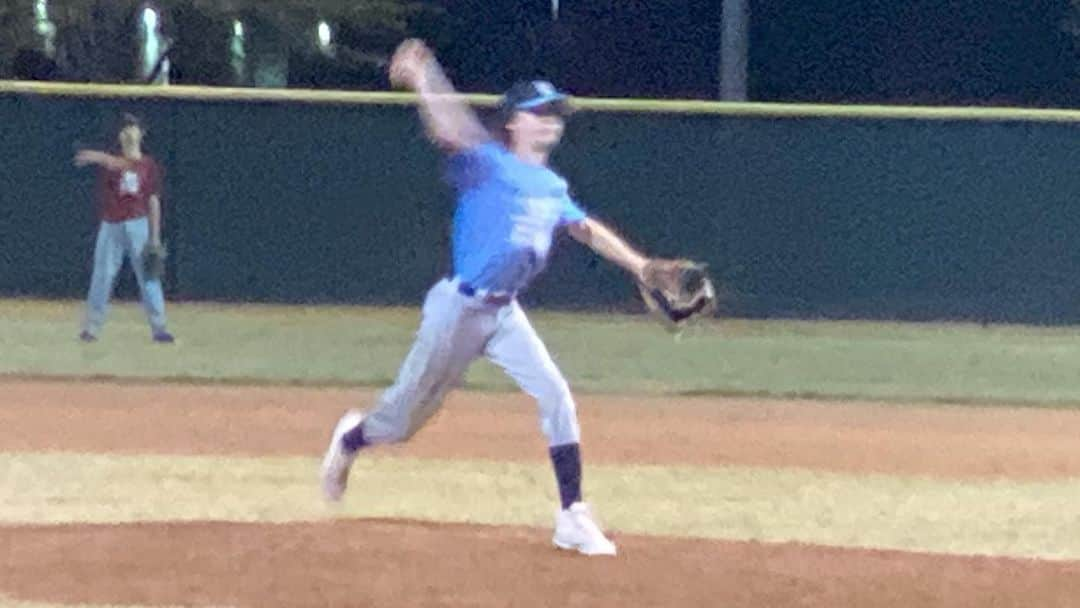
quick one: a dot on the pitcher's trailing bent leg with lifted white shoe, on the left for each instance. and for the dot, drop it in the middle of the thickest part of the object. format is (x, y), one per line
(451, 337)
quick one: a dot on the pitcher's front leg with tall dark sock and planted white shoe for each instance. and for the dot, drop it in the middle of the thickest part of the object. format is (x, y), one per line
(517, 348)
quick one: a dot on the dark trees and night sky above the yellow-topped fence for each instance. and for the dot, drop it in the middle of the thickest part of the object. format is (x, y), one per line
(955, 52)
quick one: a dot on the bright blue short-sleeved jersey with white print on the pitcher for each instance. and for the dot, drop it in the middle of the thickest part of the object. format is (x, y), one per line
(506, 219)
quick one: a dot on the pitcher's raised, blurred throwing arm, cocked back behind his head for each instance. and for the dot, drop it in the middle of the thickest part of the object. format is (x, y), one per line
(448, 117)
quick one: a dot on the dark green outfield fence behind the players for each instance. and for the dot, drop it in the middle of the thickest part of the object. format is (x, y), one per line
(802, 213)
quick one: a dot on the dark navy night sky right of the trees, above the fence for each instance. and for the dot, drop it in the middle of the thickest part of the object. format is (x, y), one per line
(958, 52)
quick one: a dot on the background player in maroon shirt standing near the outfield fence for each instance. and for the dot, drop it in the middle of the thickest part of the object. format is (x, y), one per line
(129, 194)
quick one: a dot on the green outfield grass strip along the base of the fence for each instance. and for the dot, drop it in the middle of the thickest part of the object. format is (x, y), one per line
(598, 354)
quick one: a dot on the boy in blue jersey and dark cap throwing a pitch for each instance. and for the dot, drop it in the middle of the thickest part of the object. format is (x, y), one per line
(509, 206)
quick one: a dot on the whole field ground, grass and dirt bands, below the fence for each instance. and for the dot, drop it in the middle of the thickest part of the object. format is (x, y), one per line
(151, 472)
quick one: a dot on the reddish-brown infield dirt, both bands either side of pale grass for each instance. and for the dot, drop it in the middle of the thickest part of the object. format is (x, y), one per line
(403, 563)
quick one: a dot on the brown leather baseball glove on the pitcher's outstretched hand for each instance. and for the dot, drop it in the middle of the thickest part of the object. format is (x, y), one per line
(677, 290)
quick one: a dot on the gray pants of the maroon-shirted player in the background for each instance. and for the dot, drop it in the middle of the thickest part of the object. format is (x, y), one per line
(115, 241)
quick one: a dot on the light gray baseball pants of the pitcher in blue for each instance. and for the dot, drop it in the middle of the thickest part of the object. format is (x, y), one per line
(455, 331)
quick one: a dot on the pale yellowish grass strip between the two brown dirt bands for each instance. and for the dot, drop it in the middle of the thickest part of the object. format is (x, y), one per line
(989, 518)
